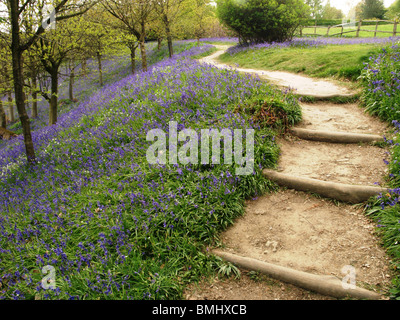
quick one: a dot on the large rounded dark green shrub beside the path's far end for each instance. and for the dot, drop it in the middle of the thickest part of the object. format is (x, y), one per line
(257, 21)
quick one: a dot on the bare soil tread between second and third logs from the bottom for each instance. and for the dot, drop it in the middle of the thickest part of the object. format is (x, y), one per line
(343, 163)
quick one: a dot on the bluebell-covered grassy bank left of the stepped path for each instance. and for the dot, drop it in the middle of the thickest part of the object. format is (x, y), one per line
(112, 225)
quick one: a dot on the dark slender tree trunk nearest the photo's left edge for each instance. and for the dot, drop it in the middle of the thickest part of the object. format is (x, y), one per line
(18, 76)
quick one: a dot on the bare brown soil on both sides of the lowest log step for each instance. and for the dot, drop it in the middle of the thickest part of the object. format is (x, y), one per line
(304, 232)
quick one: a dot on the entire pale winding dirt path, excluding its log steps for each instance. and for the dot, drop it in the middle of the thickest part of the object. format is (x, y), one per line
(302, 231)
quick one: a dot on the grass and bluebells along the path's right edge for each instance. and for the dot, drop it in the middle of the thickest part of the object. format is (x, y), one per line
(381, 97)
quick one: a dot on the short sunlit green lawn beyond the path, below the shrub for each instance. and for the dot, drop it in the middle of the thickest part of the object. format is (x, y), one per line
(338, 61)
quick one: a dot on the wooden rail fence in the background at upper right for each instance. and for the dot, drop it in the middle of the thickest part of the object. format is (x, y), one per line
(357, 27)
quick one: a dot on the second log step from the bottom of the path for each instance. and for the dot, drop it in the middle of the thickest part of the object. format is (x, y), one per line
(333, 190)
